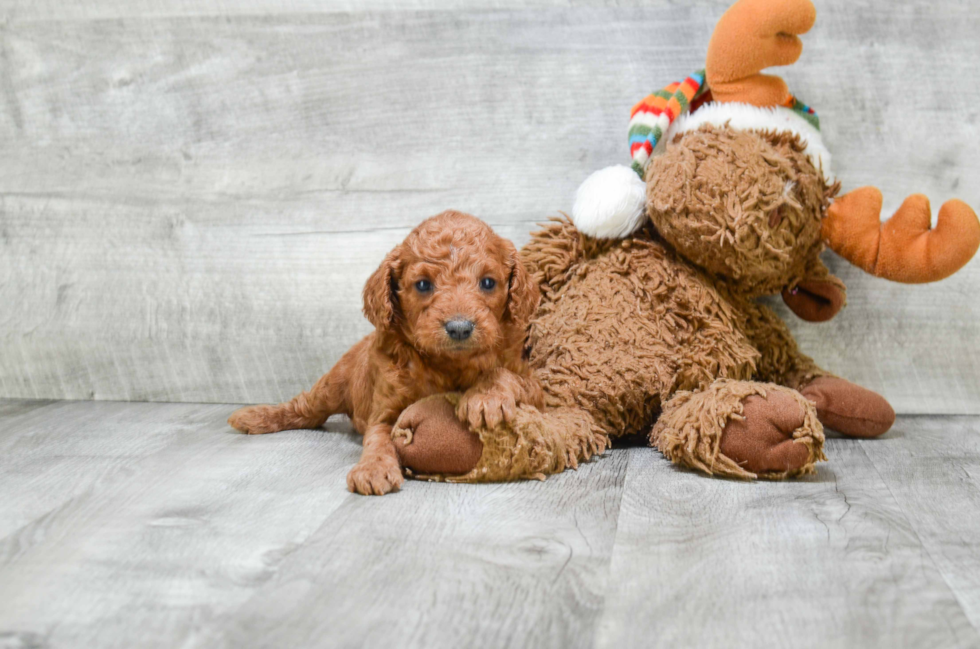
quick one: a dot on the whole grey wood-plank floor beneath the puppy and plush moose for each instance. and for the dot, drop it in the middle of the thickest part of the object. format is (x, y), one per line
(155, 525)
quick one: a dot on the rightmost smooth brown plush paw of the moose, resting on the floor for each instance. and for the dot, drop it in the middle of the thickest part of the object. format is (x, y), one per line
(848, 408)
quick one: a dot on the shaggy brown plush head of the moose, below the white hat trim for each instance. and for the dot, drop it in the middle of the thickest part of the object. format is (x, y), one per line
(768, 238)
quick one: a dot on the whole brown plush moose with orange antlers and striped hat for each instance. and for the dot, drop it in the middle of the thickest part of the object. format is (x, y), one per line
(649, 321)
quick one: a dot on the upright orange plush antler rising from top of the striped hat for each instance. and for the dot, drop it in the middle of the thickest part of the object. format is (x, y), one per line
(751, 36)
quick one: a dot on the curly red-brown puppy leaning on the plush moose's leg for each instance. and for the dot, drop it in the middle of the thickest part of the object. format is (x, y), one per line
(450, 306)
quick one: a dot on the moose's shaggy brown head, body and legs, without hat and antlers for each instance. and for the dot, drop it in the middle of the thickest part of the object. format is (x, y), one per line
(661, 332)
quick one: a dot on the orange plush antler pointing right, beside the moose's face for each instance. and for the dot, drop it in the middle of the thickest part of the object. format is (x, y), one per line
(904, 248)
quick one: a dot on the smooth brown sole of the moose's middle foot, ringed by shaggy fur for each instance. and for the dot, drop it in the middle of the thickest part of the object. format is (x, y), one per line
(762, 441)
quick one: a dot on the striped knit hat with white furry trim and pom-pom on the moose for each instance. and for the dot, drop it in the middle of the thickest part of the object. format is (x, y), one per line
(611, 203)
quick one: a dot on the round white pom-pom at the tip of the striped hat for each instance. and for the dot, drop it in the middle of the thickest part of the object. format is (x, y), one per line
(610, 204)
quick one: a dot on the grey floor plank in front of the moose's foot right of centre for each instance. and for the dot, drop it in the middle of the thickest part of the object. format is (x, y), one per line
(831, 561)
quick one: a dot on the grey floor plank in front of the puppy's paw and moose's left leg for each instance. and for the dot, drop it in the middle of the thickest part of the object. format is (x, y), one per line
(512, 565)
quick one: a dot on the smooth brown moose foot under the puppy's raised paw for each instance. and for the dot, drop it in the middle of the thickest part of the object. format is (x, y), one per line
(431, 440)
